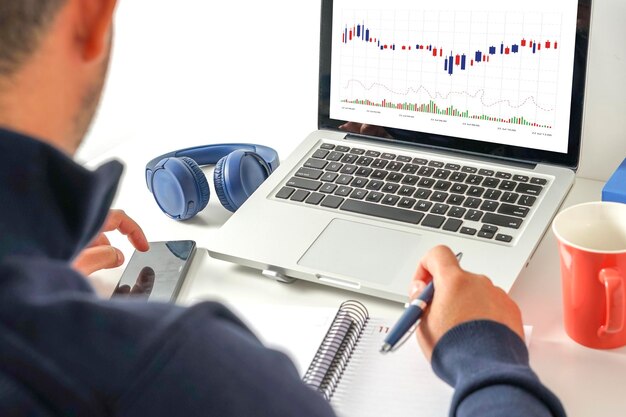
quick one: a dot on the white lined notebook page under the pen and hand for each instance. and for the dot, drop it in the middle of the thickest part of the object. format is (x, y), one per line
(400, 383)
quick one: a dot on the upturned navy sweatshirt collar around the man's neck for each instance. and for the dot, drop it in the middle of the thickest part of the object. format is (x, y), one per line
(49, 204)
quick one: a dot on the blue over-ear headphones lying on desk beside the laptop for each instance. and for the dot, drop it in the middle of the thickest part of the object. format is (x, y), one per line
(181, 190)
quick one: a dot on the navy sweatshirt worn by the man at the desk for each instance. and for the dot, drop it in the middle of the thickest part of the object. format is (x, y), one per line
(66, 352)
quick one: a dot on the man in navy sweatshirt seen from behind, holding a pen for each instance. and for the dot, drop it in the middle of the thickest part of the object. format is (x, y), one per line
(65, 352)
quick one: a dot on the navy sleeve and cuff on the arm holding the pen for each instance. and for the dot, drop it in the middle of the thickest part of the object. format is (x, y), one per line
(487, 365)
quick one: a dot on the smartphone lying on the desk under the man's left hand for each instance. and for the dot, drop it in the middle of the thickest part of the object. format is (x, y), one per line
(157, 274)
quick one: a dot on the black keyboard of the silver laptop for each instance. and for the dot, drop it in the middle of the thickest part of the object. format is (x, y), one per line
(457, 198)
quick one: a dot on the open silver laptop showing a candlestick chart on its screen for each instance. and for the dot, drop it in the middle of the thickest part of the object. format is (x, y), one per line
(446, 123)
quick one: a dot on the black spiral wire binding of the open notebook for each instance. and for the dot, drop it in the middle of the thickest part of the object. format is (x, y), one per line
(334, 353)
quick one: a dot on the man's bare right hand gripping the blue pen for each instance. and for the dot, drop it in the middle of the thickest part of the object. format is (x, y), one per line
(459, 297)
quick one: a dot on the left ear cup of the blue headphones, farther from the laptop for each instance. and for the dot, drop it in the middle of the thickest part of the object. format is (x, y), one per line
(180, 188)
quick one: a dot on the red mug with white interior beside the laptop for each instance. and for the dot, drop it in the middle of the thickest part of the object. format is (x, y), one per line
(592, 249)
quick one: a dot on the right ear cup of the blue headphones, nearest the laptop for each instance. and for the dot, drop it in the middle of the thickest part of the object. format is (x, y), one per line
(237, 176)
